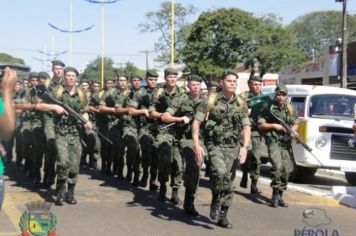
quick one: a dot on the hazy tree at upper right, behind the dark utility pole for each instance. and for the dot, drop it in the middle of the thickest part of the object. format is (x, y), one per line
(316, 31)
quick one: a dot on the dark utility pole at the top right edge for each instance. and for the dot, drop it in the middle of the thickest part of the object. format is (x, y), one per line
(344, 45)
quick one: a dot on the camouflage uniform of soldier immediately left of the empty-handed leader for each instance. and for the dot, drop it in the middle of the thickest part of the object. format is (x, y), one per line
(186, 106)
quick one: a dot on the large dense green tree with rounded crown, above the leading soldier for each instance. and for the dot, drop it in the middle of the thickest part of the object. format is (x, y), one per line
(220, 39)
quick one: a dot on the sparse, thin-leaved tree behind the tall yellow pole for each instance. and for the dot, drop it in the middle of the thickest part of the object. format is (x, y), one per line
(160, 21)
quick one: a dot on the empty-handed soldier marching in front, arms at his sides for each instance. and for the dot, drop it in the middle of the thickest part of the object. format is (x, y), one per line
(225, 122)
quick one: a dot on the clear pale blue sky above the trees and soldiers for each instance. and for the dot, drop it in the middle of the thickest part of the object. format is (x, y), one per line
(25, 29)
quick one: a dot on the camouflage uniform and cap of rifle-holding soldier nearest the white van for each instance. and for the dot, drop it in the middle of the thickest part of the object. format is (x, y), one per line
(279, 148)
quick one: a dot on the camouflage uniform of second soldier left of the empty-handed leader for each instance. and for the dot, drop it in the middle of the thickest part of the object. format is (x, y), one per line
(170, 161)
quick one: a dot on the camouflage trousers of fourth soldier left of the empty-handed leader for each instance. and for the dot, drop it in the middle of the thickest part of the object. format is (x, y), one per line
(132, 146)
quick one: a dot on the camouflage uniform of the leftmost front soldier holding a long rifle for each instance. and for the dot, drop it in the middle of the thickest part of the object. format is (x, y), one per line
(68, 130)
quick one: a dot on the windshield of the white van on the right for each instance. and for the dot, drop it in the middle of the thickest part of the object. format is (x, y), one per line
(333, 105)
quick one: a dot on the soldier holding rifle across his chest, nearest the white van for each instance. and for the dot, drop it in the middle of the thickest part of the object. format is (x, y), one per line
(278, 142)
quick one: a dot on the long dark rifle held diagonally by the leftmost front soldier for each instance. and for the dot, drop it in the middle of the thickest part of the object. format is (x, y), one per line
(43, 93)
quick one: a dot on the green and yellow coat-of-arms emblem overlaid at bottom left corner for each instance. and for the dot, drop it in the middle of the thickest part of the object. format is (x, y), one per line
(37, 220)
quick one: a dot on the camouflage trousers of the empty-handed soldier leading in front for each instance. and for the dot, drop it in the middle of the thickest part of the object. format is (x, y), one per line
(222, 161)
